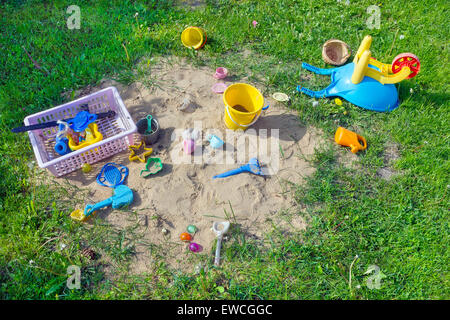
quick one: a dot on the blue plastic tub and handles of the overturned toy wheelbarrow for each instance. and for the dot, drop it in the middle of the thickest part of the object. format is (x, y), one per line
(368, 94)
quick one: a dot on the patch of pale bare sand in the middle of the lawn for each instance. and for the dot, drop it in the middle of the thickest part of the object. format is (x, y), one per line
(185, 193)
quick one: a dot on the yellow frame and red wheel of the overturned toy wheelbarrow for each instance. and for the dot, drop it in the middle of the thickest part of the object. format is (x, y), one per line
(404, 66)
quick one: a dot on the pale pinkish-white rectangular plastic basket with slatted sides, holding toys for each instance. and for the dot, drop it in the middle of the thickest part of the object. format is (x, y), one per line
(118, 132)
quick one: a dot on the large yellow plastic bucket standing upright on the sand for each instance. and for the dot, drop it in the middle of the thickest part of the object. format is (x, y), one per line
(243, 106)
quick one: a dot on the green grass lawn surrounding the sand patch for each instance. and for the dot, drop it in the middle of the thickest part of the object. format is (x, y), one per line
(400, 224)
